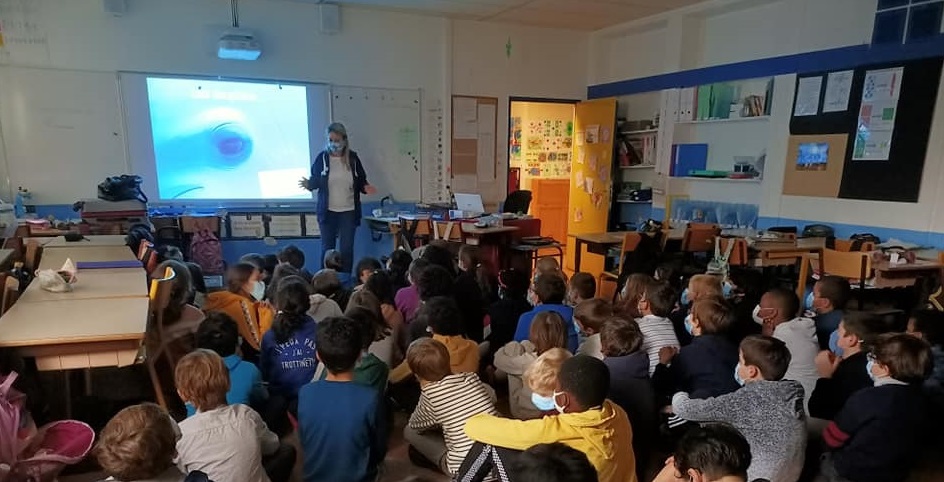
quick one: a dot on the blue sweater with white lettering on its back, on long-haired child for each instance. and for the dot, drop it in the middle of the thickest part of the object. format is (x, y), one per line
(289, 365)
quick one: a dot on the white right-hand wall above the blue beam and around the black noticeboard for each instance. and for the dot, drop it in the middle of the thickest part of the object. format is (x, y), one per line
(725, 31)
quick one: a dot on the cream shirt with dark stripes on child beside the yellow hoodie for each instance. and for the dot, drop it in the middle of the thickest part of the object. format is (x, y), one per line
(448, 404)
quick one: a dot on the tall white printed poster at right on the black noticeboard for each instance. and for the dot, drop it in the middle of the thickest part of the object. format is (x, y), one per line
(877, 114)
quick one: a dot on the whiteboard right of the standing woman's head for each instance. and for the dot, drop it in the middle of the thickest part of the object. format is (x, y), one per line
(383, 127)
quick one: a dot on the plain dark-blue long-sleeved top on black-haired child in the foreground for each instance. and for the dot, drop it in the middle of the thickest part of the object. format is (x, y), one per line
(341, 431)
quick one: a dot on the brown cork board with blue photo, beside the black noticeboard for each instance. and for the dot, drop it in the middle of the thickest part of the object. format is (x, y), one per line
(814, 165)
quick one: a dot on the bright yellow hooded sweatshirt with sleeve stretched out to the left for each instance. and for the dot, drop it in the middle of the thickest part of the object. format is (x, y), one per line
(603, 434)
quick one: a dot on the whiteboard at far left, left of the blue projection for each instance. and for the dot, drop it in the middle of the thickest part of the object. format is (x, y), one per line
(62, 132)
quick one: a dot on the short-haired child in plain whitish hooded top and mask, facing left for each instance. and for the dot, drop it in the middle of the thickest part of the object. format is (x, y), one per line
(777, 314)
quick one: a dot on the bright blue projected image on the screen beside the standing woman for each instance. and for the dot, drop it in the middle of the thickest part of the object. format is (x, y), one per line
(229, 140)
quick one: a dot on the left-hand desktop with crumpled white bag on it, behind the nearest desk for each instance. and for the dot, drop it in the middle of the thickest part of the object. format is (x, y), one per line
(92, 284)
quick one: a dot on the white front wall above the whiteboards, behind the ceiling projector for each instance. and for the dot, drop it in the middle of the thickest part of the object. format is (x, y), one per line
(374, 49)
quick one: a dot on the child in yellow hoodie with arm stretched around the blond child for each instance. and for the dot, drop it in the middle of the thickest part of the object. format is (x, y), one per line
(587, 422)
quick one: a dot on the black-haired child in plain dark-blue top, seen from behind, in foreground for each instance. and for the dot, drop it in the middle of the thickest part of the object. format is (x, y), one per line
(340, 423)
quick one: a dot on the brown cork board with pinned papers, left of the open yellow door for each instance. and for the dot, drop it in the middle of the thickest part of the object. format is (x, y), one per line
(474, 135)
